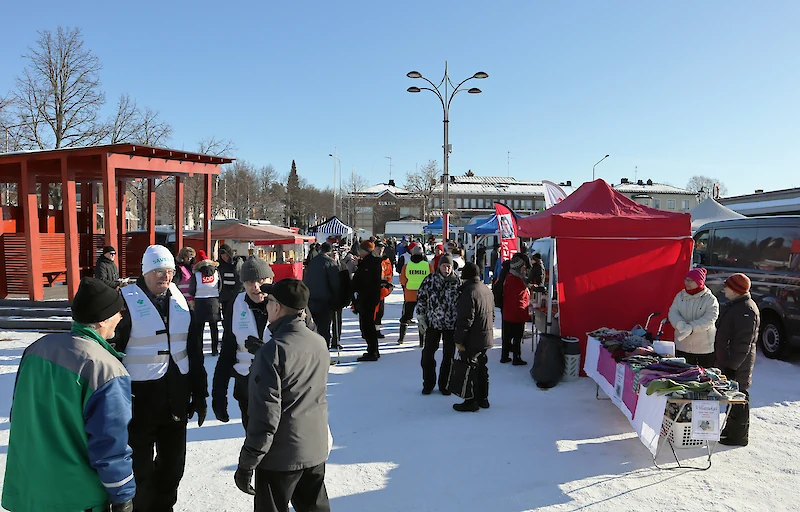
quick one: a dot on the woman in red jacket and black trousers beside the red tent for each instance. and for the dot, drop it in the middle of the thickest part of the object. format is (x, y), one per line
(516, 298)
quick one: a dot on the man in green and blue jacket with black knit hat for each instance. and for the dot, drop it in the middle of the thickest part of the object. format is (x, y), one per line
(68, 448)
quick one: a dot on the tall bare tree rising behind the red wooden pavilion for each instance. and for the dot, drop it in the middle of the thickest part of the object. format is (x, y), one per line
(58, 96)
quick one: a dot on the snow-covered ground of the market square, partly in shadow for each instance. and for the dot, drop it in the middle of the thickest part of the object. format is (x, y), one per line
(559, 450)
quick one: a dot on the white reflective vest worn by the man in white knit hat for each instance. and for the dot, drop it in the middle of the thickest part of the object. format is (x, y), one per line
(152, 343)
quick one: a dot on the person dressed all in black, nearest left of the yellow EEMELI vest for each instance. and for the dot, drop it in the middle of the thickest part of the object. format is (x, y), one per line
(366, 297)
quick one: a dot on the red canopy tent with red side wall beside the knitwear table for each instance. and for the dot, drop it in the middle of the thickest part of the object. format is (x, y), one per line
(618, 260)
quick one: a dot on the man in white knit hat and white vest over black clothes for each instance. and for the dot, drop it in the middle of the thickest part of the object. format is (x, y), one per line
(164, 355)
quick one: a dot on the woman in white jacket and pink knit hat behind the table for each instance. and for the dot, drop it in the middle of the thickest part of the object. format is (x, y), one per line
(693, 314)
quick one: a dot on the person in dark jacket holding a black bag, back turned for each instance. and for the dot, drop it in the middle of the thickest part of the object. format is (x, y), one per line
(474, 334)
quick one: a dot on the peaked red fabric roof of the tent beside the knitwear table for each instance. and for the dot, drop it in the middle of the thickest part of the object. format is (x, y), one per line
(596, 210)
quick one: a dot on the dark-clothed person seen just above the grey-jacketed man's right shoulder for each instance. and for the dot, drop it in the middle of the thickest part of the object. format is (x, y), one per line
(322, 279)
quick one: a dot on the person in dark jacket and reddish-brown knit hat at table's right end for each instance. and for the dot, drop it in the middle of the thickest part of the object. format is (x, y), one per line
(735, 349)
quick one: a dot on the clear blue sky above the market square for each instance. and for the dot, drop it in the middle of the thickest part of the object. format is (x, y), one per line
(676, 88)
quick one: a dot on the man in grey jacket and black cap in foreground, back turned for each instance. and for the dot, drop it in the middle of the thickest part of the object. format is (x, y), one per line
(287, 440)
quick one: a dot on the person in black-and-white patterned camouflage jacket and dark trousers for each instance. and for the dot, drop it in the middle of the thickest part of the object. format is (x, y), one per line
(436, 304)
